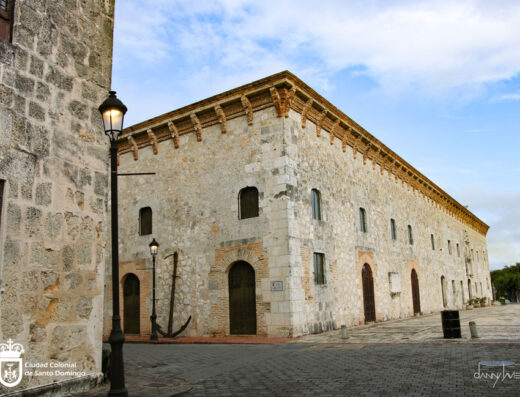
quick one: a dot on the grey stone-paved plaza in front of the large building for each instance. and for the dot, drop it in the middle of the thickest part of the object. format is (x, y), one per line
(398, 358)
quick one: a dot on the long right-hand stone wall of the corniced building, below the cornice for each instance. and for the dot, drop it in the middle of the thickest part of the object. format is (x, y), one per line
(347, 183)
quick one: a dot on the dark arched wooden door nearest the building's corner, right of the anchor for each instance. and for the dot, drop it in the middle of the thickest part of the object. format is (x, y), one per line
(242, 300)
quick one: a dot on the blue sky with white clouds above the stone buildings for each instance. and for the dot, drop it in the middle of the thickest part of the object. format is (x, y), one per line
(436, 81)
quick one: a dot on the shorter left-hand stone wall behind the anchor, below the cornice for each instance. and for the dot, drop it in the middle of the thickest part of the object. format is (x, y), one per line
(194, 199)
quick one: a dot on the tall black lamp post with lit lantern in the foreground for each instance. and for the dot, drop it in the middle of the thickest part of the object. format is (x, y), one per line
(113, 111)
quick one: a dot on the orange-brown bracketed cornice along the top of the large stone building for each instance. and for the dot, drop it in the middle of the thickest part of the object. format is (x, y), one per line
(285, 91)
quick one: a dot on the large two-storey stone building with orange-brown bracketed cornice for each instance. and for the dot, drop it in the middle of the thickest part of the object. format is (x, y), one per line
(288, 218)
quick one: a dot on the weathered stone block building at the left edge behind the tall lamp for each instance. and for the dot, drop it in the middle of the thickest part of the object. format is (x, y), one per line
(55, 70)
